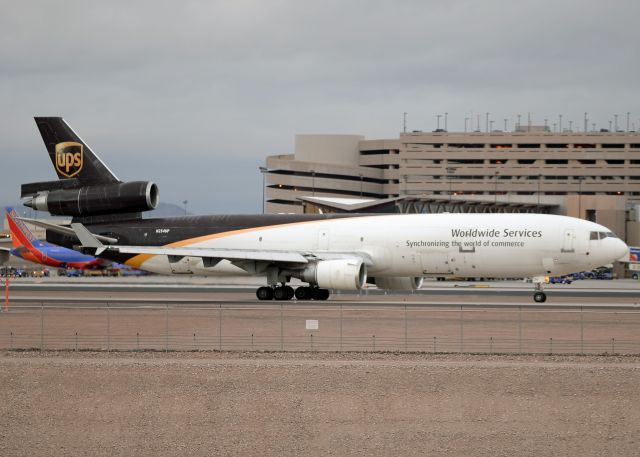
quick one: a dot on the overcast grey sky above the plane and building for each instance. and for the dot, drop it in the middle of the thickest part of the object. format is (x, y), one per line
(195, 94)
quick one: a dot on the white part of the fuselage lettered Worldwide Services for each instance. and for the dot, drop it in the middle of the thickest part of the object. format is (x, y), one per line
(472, 245)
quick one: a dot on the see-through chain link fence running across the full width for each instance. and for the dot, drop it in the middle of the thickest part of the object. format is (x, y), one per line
(293, 327)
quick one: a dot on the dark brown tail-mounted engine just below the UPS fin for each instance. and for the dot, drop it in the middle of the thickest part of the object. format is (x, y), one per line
(128, 197)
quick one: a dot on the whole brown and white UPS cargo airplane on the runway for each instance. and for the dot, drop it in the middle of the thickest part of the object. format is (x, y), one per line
(332, 251)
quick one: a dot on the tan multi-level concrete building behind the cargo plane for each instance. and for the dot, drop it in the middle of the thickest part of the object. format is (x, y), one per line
(593, 175)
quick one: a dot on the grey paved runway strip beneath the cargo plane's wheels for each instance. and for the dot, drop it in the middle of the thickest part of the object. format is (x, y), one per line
(143, 291)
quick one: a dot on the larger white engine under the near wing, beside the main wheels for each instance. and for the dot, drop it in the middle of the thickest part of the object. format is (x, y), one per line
(345, 274)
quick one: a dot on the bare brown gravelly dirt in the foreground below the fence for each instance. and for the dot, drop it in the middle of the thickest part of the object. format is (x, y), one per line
(292, 404)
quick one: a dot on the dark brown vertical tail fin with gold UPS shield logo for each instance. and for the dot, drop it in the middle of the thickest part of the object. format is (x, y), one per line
(72, 158)
